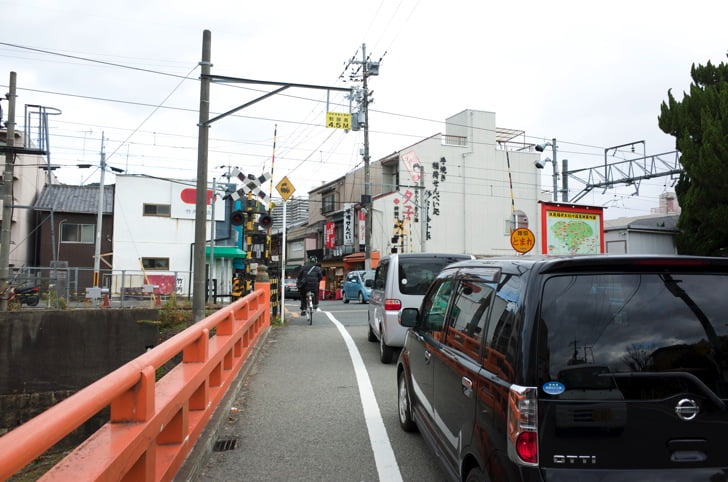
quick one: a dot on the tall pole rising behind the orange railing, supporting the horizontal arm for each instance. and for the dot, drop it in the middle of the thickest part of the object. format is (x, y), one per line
(198, 285)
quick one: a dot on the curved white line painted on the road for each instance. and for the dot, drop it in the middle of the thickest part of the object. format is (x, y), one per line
(383, 454)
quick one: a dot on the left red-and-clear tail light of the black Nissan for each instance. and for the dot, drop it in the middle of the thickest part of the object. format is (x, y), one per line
(522, 425)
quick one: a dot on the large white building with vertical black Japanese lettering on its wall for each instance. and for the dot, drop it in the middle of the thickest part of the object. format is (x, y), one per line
(474, 180)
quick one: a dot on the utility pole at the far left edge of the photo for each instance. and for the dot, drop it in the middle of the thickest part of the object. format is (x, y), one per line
(7, 220)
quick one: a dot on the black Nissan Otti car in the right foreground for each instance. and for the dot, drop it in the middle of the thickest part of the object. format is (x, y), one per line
(571, 368)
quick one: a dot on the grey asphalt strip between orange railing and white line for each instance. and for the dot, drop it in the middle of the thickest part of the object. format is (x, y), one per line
(303, 420)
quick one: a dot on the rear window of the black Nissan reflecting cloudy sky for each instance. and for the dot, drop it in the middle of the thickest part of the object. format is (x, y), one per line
(640, 333)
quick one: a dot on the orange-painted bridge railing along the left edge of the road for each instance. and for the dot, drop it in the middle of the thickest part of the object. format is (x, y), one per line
(154, 424)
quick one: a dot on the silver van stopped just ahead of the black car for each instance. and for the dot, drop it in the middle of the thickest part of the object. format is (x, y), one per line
(400, 281)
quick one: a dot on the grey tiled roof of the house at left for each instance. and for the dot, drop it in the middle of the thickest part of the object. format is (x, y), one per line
(74, 199)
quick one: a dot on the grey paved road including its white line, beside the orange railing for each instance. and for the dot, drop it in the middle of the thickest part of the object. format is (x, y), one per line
(318, 405)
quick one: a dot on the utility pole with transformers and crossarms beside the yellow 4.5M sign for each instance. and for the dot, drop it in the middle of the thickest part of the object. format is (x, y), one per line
(365, 68)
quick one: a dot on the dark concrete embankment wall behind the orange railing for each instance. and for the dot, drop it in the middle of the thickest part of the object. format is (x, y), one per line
(46, 356)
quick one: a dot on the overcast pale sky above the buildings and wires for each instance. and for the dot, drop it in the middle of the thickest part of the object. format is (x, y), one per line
(590, 74)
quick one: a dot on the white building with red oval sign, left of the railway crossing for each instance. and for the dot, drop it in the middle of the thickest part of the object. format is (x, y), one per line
(154, 234)
